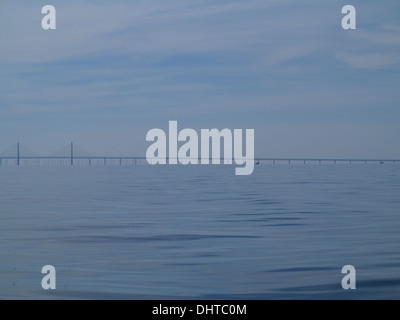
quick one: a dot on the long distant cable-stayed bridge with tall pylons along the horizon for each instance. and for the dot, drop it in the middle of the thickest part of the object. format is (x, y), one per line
(82, 157)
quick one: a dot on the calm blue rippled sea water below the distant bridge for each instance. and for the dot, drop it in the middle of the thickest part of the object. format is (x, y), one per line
(141, 232)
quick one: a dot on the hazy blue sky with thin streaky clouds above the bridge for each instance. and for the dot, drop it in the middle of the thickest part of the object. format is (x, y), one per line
(113, 70)
